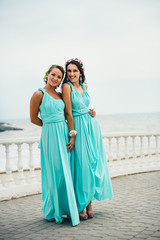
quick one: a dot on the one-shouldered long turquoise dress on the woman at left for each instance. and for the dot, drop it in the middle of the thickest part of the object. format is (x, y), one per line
(57, 187)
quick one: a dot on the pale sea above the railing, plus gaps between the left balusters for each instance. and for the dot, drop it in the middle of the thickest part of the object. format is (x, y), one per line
(109, 124)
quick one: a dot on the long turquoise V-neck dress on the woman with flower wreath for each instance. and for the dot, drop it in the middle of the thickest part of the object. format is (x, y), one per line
(90, 173)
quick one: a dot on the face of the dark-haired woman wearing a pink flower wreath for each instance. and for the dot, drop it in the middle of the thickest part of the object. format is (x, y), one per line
(73, 73)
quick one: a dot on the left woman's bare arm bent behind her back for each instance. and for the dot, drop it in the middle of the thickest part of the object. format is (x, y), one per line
(35, 102)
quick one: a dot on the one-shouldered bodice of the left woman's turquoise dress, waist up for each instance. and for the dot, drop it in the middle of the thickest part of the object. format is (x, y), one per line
(51, 110)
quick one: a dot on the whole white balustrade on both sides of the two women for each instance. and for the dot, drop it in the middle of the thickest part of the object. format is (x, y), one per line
(126, 154)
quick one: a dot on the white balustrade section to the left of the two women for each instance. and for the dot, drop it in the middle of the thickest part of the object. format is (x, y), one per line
(18, 175)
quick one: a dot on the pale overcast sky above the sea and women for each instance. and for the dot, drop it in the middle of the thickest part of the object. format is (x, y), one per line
(117, 40)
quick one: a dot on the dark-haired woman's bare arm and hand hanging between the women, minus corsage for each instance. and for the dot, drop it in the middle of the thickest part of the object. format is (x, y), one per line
(66, 95)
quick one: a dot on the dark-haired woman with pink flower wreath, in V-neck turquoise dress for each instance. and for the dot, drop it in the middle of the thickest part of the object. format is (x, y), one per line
(89, 167)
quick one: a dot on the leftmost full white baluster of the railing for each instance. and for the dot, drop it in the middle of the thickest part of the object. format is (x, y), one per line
(9, 178)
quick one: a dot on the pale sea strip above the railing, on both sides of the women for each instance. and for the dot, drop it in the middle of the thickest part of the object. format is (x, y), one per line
(115, 123)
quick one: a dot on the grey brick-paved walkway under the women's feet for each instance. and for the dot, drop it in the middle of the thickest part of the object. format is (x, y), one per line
(134, 213)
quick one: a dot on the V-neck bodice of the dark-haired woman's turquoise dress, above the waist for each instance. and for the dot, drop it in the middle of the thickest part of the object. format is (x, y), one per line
(80, 103)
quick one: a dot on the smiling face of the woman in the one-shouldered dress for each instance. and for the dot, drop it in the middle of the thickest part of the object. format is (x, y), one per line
(54, 77)
